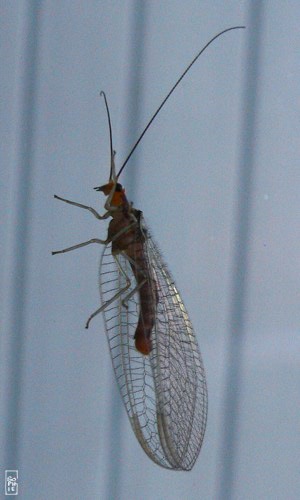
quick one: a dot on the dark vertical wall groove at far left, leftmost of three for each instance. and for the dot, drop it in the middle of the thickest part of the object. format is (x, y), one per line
(16, 297)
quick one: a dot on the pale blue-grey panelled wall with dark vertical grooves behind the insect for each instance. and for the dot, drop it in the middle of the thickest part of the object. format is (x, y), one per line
(217, 177)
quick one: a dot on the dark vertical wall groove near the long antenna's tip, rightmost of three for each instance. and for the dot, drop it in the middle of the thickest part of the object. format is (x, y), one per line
(240, 272)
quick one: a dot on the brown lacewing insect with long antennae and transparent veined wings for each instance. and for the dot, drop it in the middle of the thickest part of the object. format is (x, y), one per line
(154, 351)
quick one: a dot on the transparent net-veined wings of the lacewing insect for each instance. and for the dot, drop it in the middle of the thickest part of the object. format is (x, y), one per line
(164, 393)
